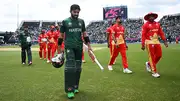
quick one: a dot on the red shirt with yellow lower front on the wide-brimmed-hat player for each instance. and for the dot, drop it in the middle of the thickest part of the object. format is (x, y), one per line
(150, 33)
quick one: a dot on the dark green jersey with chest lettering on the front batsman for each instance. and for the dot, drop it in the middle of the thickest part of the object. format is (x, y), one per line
(73, 28)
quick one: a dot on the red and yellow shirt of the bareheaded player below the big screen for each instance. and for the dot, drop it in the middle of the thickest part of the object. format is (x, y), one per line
(118, 31)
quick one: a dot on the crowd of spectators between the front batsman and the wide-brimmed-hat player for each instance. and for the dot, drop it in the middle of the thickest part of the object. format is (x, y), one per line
(97, 30)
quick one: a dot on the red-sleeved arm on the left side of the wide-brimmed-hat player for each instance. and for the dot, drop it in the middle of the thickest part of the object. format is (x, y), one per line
(143, 36)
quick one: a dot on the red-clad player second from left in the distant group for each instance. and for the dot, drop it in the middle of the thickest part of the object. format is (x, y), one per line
(51, 36)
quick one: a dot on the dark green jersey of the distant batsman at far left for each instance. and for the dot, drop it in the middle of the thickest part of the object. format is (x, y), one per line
(25, 38)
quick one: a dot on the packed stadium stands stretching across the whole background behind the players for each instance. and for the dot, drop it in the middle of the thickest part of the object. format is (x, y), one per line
(97, 29)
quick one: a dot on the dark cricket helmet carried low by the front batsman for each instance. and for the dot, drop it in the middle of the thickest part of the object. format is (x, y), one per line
(58, 61)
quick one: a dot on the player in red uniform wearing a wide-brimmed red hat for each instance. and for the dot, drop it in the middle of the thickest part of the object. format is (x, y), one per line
(151, 30)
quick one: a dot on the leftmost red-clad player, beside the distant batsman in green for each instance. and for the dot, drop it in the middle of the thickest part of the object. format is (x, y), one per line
(42, 39)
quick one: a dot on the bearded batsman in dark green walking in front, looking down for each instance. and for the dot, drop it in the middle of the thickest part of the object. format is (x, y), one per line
(73, 28)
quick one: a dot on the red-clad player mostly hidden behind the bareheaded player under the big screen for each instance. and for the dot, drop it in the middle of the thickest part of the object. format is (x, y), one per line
(109, 39)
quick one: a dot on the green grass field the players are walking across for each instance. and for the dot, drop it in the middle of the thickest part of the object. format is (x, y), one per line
(42, 82)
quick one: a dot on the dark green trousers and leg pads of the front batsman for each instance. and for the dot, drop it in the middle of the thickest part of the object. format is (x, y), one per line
(72, 68)
